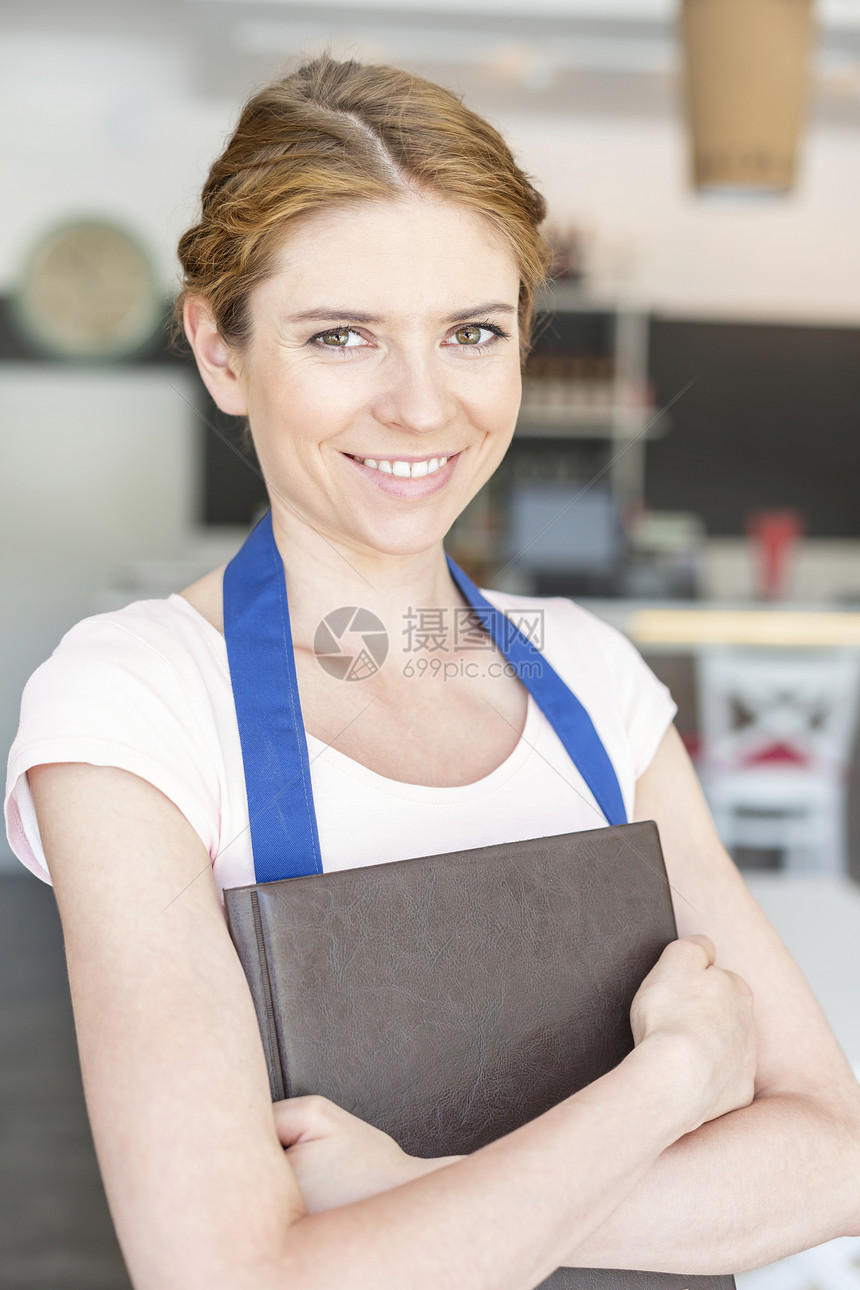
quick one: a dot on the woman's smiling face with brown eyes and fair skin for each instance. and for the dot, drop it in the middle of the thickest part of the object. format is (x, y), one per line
(389, 333)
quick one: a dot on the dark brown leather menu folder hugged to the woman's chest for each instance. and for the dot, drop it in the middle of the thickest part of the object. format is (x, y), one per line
(452, 999)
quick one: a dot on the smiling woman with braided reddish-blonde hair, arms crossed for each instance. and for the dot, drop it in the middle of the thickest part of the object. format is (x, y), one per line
(360, 287)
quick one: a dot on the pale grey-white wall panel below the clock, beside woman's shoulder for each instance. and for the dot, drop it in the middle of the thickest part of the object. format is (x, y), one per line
(100, 469)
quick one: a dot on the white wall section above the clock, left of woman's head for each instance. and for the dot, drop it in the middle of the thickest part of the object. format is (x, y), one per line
(100, 126)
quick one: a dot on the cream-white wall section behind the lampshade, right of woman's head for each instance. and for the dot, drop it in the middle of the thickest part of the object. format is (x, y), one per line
(786, 260)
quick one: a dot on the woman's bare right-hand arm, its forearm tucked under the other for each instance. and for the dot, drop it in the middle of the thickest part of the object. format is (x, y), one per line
(776, 1177)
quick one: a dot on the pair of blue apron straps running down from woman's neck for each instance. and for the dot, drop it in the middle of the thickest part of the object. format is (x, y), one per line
(262, 669)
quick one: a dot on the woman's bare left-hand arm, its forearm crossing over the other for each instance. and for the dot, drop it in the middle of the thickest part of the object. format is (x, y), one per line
(199, 1186)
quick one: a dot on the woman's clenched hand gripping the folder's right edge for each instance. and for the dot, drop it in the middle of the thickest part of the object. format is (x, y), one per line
(710, 1011)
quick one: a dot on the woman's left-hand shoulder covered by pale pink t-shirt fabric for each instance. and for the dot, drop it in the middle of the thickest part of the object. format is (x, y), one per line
(144, 688)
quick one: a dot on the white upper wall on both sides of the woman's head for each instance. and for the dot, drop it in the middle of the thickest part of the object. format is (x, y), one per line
(106, 124)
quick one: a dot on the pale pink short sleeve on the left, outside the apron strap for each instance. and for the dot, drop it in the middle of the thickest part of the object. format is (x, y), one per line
(110, 699)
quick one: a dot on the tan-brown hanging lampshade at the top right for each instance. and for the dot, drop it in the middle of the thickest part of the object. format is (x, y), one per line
(747, 69)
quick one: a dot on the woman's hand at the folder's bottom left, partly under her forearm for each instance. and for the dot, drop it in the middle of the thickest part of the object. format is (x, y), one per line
(340, 1159)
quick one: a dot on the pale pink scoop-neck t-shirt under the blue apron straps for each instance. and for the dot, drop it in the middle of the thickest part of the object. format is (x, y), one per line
(148, 690)
